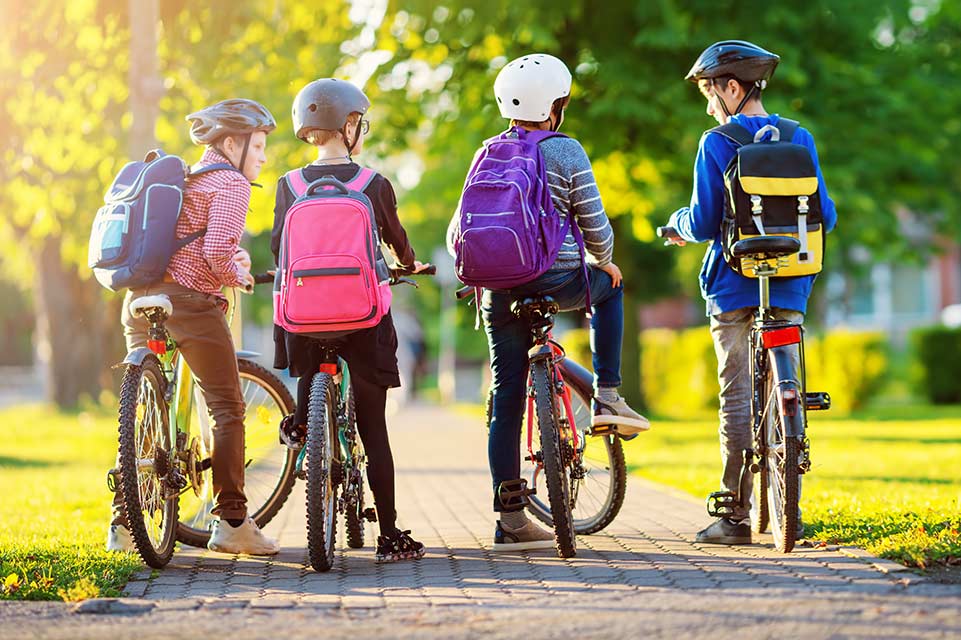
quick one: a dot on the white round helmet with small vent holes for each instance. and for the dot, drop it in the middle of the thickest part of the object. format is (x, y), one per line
(527, 87)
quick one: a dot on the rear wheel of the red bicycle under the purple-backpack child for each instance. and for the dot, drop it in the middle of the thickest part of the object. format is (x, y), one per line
(556, 473)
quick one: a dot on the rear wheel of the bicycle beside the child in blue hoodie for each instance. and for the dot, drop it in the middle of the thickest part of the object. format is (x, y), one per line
(781, 468)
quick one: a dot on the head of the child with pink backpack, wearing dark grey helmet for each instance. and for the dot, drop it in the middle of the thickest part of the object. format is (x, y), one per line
(330, 113)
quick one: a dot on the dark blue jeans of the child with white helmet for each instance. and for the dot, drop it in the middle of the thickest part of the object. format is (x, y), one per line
(509, 339)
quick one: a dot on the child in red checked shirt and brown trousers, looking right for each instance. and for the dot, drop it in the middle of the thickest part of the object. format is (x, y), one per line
(215, 206)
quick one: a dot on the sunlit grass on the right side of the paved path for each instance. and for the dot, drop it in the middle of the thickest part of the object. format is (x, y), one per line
(887, 479)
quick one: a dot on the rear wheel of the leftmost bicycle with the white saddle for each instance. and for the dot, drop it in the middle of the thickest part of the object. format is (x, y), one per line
(148, 484)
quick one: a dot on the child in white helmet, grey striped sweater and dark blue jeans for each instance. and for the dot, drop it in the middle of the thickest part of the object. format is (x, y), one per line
(533, 92)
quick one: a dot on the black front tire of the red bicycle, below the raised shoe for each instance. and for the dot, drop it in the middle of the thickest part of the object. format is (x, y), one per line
(613, 500)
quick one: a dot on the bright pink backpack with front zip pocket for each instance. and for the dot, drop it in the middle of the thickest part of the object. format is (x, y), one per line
(332, 278)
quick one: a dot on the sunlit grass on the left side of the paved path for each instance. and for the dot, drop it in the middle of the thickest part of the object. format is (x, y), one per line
(55, 506)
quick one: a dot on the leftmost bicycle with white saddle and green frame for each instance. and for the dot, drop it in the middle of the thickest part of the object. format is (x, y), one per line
(163, 469)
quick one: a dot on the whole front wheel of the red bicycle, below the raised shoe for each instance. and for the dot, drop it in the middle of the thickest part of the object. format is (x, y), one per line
(598, 484)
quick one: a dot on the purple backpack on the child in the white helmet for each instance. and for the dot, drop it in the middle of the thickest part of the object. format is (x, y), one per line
(509, 232)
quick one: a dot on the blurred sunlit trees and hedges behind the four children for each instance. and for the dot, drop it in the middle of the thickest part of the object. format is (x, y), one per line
(88, 85)
